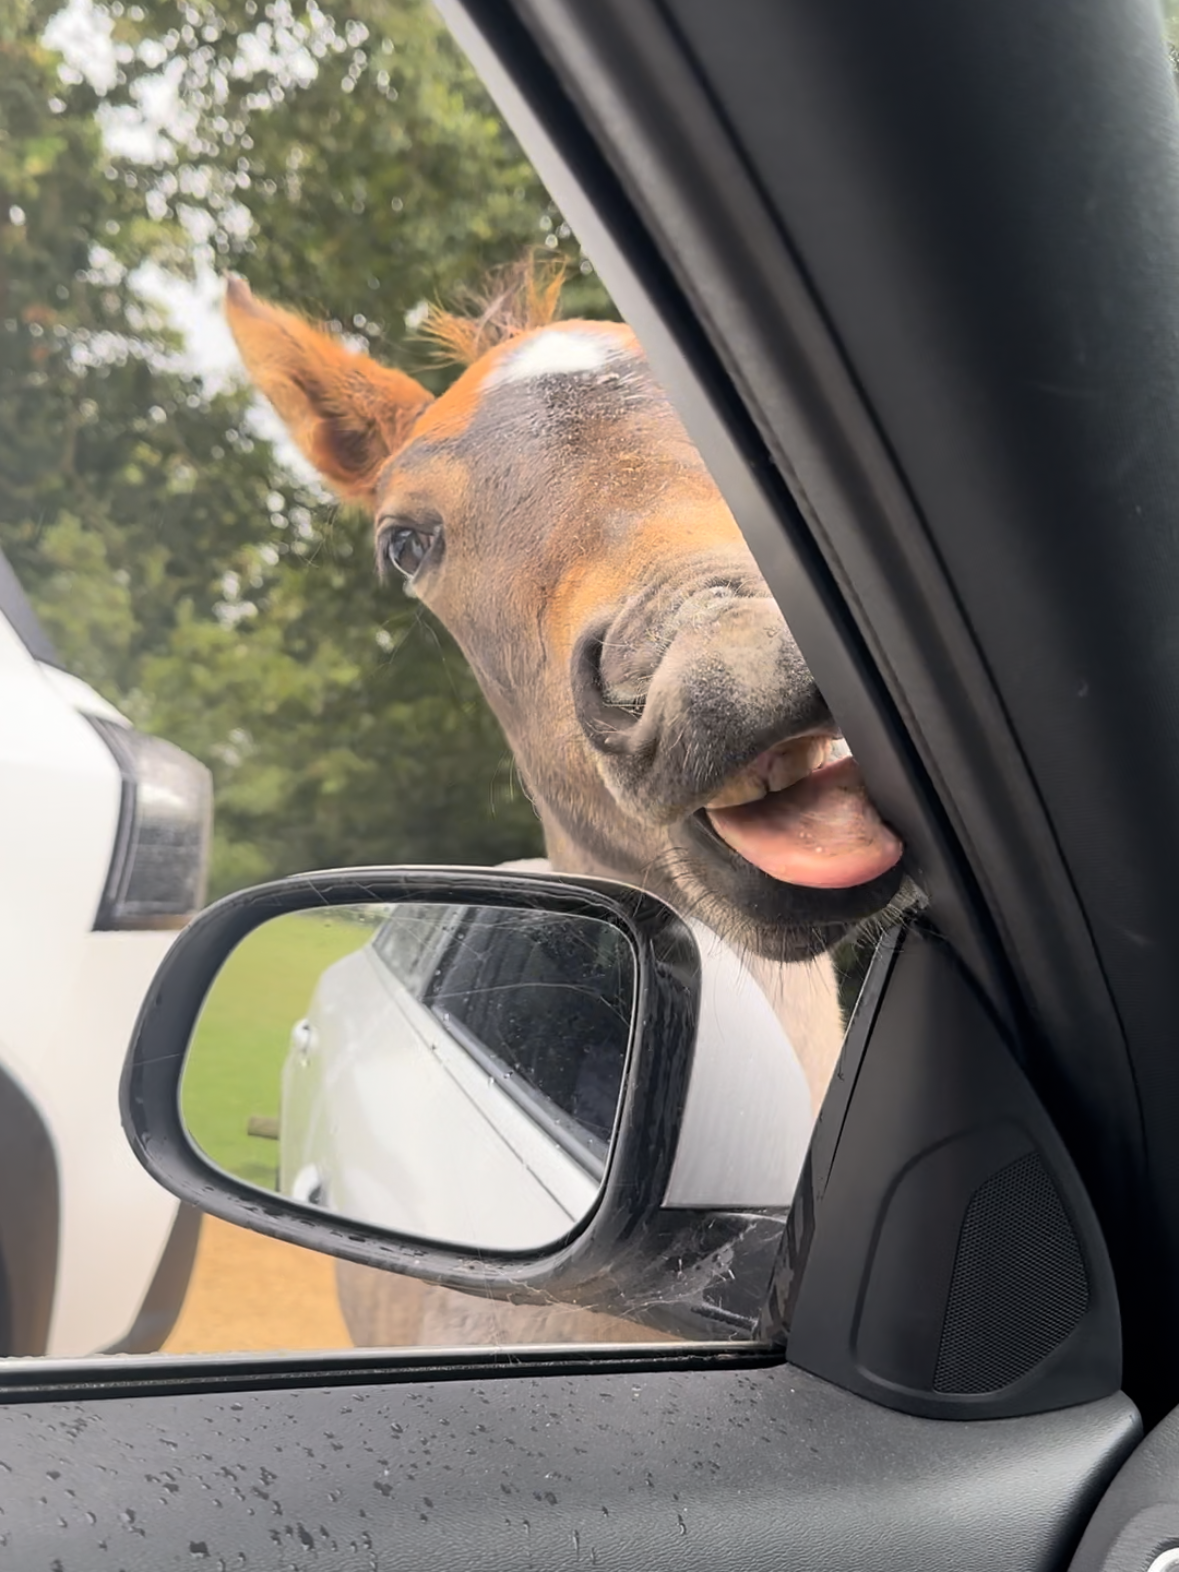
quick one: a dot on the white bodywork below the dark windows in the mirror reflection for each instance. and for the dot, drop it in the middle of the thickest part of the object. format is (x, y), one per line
(406, 1129)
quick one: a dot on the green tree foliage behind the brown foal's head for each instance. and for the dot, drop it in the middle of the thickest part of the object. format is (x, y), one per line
(351, 166)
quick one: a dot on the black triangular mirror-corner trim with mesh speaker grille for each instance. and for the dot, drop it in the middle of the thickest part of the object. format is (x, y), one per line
(942, 1257)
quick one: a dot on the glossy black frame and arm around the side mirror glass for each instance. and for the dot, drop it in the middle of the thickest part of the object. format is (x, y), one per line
(631, 1255)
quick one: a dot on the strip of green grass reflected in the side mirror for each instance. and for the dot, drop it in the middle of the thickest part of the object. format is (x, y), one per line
(240, 1046)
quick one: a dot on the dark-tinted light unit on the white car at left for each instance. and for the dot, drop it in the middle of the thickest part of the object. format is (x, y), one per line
(161, 861)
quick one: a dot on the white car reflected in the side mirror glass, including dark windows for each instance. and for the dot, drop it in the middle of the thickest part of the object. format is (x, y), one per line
(485, 1024)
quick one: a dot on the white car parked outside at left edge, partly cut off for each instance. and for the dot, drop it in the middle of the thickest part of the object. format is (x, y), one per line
(105, 842)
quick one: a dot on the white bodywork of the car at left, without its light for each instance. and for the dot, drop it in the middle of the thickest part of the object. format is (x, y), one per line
(70, 996)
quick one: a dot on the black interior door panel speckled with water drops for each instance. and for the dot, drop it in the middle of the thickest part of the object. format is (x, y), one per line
(491, 1467)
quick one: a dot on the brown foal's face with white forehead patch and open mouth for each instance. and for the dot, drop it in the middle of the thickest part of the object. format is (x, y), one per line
(551, 510)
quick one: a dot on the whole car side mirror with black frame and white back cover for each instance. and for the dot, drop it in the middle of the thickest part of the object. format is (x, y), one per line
(480, 1079)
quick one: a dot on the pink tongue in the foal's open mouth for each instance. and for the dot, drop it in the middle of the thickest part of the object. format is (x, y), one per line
(821, 832)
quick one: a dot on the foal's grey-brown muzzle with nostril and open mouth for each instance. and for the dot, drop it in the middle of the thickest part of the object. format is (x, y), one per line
(711, 725)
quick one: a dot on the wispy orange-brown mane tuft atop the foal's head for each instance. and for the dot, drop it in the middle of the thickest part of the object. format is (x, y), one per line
(512, 301)
